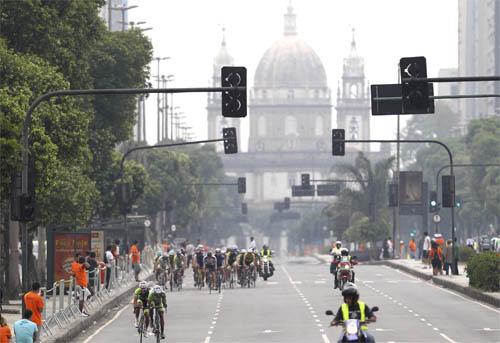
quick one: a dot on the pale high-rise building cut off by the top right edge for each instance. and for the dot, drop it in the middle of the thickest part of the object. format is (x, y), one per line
(479, 55)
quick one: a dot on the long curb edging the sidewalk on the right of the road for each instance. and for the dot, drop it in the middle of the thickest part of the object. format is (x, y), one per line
(469, 291)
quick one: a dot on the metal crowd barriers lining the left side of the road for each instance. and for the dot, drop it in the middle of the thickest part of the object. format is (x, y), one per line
(61, 303)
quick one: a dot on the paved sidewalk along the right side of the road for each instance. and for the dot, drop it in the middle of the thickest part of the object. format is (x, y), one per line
(458, 283)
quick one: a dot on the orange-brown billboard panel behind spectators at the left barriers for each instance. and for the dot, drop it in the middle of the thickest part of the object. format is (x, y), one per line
(65, 247)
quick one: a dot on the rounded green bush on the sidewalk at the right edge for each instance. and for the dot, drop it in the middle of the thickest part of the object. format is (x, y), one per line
(483, 271)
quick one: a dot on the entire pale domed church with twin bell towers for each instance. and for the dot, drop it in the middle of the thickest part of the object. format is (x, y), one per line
(290, 115)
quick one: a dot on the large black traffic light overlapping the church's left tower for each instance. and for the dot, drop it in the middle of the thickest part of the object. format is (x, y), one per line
(234, 102)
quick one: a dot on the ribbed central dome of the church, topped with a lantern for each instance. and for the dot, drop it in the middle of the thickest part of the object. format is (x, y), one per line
(290, 62)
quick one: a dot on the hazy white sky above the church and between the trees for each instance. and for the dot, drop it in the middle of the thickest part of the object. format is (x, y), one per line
(190, 32)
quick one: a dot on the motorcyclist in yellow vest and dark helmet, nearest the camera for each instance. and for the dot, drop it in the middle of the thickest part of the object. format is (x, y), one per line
(352, 308)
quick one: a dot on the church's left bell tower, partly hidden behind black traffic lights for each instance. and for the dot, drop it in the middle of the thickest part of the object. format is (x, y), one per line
(214, 115)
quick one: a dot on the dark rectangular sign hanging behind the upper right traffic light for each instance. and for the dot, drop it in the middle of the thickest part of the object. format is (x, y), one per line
(393, 106)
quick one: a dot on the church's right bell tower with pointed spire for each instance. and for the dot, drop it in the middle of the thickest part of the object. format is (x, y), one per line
(353, 100)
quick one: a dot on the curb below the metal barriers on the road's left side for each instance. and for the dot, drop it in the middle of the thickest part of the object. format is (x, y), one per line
(80, 325)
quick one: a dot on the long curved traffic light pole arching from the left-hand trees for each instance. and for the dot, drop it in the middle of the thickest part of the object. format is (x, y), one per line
(76, 92)
